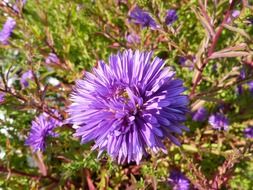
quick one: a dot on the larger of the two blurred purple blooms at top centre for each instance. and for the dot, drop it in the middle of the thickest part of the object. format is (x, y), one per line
(143, 18)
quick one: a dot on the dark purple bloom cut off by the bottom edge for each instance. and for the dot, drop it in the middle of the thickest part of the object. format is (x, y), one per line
(178, 181)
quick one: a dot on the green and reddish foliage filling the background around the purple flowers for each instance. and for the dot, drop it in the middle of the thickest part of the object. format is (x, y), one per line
(81, 32)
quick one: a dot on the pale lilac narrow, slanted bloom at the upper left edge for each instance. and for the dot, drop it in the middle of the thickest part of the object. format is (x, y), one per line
(6, 31)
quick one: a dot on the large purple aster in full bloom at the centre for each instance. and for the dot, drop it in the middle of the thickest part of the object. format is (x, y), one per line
(129, 106)
